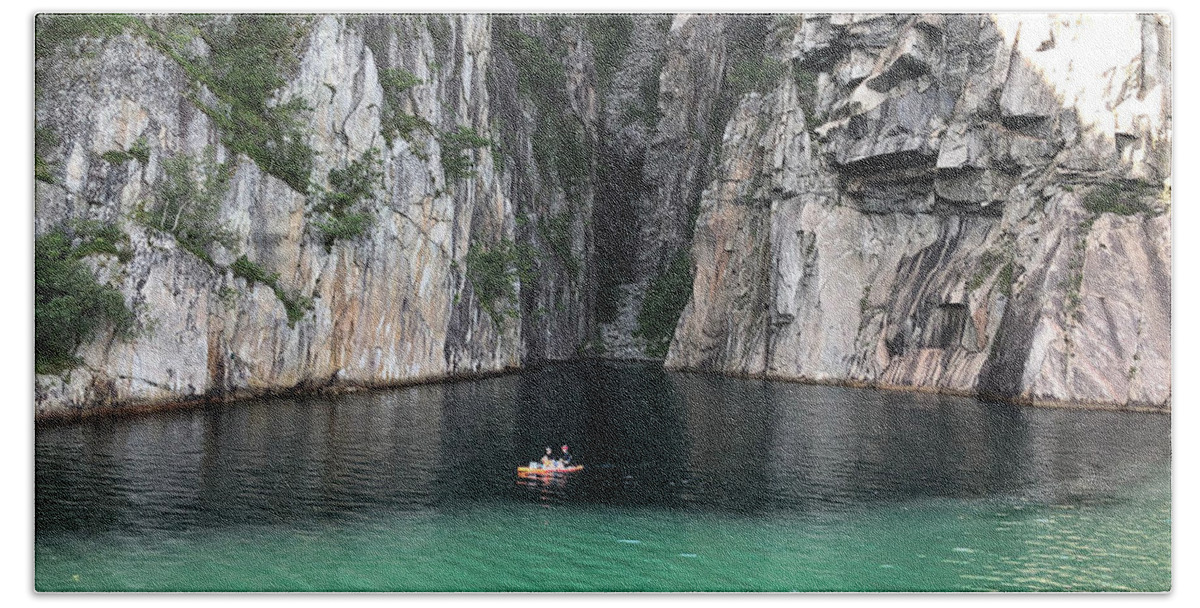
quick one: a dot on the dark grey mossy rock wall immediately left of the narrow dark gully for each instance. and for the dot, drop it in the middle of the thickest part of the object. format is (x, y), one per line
(544, 103)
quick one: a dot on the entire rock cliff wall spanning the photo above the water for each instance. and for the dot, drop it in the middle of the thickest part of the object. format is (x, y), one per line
(955, 203)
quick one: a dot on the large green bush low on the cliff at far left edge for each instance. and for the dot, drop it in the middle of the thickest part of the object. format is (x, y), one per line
(69, 304)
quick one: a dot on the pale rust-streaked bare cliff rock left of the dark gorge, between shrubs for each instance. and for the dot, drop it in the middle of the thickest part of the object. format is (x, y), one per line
(393, 304)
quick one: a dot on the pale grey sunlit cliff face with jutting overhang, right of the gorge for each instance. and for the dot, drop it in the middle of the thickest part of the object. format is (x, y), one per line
(957, 203)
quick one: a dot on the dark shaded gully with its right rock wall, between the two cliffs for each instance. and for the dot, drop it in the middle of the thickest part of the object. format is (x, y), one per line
(659, 116)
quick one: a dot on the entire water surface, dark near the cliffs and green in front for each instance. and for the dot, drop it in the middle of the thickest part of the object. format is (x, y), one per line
(692, 483)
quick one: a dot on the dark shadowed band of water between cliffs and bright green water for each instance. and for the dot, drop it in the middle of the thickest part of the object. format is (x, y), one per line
(647, 438)
